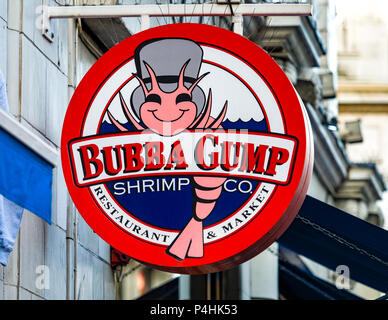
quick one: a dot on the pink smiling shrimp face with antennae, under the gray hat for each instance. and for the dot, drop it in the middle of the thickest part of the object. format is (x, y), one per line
(168, 113)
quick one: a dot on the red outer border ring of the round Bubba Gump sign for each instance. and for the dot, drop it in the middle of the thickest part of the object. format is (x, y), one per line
(258, 233)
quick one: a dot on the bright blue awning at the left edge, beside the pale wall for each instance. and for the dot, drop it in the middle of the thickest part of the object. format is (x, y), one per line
(25, 178)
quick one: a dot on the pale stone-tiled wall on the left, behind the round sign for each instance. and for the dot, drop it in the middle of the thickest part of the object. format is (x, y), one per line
(37, 80)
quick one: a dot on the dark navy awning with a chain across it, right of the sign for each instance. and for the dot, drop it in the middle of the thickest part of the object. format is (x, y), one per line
(333, 237)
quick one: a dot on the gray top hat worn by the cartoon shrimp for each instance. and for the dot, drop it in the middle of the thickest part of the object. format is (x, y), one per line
(166, 58)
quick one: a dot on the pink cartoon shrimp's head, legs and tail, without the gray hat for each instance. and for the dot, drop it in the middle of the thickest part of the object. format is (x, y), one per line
(168, 114)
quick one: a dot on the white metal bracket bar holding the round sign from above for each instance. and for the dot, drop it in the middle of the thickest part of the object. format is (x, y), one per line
(236, 10)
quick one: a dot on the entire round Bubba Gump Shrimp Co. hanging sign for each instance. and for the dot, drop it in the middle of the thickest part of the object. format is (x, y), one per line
(187, 148)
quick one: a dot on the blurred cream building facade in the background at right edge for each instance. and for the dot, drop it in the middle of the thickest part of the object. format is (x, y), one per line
(363, 79)
